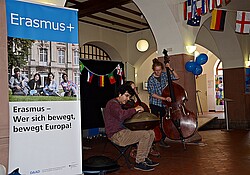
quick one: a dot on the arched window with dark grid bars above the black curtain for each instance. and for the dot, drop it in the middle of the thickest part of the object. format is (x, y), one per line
(94, 53)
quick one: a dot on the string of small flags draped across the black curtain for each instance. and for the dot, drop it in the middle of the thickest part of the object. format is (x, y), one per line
(110, 75)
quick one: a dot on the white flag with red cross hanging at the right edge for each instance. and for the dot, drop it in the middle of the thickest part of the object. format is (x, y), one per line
(242, 22)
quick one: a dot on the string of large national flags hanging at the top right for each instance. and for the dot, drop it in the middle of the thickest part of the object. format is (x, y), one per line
(194, 9)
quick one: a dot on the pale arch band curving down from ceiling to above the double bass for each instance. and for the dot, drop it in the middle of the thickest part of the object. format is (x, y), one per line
(163, 24)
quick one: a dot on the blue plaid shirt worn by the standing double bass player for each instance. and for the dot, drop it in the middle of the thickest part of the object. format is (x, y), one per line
(156, 87)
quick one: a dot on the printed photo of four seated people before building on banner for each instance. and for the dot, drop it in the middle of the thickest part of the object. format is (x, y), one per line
(42, 70)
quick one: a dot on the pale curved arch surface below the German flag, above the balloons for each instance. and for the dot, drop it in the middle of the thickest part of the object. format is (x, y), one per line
(225, 45)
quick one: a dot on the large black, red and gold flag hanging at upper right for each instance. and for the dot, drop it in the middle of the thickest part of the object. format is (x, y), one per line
(218, 20)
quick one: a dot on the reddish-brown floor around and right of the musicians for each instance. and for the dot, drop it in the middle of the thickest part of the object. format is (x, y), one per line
(219, 152)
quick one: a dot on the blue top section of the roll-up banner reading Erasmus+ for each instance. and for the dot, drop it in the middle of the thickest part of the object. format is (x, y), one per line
(41, 22)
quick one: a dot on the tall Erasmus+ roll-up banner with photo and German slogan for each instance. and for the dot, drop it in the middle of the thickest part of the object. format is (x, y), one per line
(44, 105)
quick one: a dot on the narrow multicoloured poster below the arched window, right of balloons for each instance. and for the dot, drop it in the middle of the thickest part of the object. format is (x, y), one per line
(219, 93)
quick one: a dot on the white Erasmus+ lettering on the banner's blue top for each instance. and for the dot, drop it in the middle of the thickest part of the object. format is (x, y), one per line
(16, 19)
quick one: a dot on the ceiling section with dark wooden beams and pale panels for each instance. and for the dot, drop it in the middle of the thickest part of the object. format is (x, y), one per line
(118, 15)
